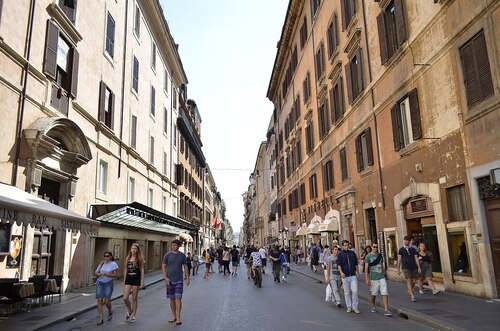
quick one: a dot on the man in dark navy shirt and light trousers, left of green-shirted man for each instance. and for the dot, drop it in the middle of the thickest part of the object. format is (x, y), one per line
(348, 267)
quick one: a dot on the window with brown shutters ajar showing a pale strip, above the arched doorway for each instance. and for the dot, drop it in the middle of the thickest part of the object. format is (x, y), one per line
(406, 126)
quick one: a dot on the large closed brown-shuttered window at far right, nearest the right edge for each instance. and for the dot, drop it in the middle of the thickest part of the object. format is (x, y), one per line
(476, 68)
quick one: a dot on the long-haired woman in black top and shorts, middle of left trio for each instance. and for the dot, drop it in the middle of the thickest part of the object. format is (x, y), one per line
(134, 279)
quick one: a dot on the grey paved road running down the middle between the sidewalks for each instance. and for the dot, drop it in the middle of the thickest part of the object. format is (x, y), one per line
(234, 303)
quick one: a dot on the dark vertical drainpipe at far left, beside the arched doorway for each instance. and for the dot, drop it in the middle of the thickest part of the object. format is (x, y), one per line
(22, 101)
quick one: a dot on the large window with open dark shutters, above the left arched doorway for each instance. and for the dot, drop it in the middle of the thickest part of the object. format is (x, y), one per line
(61, 63)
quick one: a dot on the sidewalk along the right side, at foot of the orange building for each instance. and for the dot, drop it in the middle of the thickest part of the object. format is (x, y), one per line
(444, 311)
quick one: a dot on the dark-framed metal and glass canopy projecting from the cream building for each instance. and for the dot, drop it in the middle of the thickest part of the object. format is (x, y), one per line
(139, 216)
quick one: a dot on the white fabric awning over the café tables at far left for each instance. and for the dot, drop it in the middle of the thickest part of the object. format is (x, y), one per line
(24, 208)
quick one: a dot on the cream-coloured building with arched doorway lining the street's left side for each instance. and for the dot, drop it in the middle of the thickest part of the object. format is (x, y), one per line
(89, 96)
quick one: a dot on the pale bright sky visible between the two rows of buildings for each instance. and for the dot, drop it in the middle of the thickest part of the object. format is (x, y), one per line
(228, 48)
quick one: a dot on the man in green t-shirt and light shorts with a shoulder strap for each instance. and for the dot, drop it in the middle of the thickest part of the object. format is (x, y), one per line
(376, 279)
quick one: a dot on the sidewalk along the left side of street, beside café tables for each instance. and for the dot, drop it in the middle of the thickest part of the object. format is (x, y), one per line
(72, 304)
